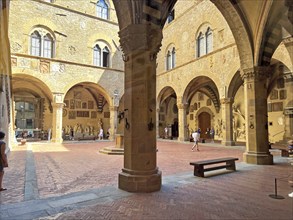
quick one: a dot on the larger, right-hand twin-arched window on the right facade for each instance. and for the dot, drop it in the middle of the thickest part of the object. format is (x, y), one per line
(204, 42)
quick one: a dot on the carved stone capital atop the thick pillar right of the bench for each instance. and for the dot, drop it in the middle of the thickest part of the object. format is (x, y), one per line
(256, 73)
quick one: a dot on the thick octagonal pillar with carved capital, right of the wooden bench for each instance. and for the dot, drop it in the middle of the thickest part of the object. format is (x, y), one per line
(256, 115)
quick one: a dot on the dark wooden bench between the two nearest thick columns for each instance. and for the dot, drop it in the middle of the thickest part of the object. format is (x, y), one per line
(199, 165)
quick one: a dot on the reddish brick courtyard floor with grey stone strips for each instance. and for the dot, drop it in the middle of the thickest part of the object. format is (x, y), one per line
(74, 181)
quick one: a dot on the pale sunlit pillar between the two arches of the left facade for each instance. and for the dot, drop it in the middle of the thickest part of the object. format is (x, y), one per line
(57, 119)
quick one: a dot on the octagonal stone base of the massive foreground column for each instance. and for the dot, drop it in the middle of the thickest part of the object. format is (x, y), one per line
(140, 181)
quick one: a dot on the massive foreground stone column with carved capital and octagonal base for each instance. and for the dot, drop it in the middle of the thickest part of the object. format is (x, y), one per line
(140, 43)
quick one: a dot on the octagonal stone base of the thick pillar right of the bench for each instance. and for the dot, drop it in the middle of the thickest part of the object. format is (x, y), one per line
(258, 158)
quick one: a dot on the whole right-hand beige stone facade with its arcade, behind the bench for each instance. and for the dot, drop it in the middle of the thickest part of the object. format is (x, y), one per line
(197, 81)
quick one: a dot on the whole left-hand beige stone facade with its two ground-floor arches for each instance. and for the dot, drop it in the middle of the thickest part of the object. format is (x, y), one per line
(70, 75)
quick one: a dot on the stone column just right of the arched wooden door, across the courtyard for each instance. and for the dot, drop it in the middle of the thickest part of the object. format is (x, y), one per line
(227, 116)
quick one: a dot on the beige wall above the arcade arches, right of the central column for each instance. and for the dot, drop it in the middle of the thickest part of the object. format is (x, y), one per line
(220, 65)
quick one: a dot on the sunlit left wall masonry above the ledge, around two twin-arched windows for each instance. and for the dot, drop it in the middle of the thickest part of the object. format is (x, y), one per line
(73, 31)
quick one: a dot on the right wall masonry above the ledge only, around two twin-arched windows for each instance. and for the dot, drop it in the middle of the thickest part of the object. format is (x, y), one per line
(182, 33)
